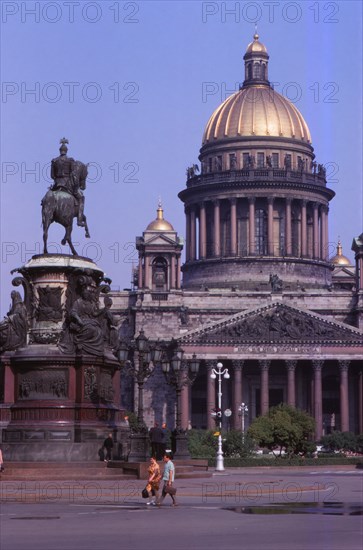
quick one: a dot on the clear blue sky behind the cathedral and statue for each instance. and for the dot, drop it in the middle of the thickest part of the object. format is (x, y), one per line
(132, 85)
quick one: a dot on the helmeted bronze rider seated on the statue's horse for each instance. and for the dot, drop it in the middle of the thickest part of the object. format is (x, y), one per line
(63, 174)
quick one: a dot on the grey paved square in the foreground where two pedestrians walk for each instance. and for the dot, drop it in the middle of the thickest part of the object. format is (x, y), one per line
(249, 508)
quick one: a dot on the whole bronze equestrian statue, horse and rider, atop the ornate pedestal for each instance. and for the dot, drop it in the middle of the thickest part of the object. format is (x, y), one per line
(64, 199)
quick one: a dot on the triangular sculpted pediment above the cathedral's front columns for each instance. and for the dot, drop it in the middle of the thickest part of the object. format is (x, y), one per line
(275, 323)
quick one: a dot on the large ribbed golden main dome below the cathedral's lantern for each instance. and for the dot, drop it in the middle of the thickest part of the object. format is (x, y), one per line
(256, 111)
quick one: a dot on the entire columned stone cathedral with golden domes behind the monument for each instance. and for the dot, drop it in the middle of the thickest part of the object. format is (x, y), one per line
(257, 291)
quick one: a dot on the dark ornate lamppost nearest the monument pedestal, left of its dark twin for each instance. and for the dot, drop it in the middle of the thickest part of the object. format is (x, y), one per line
(148, 355)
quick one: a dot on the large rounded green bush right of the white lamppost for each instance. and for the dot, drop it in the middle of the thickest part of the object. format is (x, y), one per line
(284, 427)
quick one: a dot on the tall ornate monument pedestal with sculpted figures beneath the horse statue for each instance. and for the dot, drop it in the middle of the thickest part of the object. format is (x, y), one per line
(61, 405)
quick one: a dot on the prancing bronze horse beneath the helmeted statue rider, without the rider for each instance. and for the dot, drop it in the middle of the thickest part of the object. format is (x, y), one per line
(61, 206)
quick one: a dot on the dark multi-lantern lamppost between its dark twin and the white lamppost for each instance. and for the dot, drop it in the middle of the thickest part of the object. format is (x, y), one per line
(179, 373)
